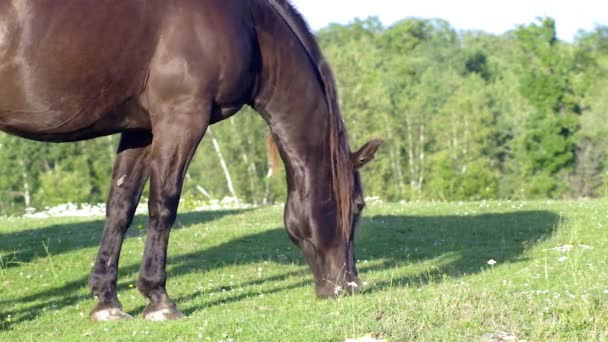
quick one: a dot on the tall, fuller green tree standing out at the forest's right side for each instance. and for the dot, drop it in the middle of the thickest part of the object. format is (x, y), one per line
(546, 152)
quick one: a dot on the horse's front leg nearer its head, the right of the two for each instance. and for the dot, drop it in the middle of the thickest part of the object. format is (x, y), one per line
(175, 141)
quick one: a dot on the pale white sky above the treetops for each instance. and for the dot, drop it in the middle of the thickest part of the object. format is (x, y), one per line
(493, 16)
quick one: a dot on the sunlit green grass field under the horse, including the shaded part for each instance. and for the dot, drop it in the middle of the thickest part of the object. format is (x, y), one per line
(237, 277)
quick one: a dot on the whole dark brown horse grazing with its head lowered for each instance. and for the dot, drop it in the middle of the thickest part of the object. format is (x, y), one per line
(159, 72)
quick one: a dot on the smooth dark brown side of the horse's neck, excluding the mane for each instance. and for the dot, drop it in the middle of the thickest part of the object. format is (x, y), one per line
(290, 97)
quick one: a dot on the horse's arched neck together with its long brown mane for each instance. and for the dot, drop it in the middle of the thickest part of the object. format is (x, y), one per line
(293, 84)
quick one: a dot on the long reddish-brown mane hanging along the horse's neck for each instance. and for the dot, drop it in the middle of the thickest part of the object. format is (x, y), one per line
(341, 164)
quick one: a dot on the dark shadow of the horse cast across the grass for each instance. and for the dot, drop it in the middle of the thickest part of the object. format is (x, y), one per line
(459, 245)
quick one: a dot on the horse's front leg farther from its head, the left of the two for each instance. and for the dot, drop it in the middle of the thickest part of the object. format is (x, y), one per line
(131, 171)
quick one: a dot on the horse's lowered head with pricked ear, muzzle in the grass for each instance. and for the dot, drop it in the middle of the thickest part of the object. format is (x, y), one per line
(315, 225)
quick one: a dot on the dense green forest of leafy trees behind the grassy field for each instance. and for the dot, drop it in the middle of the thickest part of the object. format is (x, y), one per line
(465, 116)
